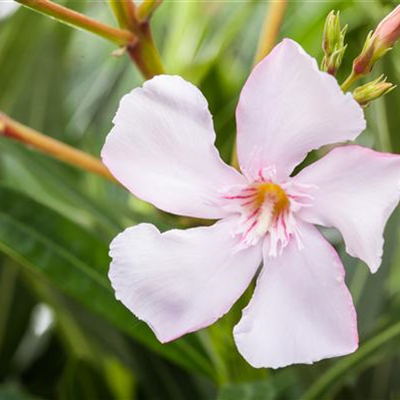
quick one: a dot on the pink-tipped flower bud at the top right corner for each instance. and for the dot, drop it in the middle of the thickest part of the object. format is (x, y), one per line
(378, 43)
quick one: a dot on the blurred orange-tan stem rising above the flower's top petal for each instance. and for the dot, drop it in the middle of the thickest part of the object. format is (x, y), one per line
(271, 27)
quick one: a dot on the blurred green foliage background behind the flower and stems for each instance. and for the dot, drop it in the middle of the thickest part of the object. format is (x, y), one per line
(62, 333)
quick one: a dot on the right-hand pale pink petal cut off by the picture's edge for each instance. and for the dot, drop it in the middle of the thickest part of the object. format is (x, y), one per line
(358, 189)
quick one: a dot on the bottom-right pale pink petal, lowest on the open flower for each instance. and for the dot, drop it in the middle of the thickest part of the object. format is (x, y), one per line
(301, 311)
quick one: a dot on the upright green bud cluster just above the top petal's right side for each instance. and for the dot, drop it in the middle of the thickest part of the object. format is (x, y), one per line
(333, 44)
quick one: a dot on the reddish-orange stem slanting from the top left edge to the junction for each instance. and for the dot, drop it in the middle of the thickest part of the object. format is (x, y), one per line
(78, 20)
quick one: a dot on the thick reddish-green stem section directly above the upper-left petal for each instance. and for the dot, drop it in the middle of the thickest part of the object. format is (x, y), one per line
(145, 54)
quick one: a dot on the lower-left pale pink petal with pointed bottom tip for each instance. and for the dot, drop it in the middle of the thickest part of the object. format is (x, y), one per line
(180, 281)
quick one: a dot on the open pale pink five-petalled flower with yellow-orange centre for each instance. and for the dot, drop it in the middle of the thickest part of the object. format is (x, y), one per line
(162, 149)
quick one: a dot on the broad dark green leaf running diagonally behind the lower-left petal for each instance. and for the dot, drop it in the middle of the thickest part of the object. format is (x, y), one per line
(51, 246)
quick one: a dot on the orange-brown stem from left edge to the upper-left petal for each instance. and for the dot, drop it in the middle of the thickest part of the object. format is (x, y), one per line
(14, 130)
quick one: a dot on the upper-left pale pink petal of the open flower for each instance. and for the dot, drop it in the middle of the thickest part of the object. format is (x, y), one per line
(162, 149)
